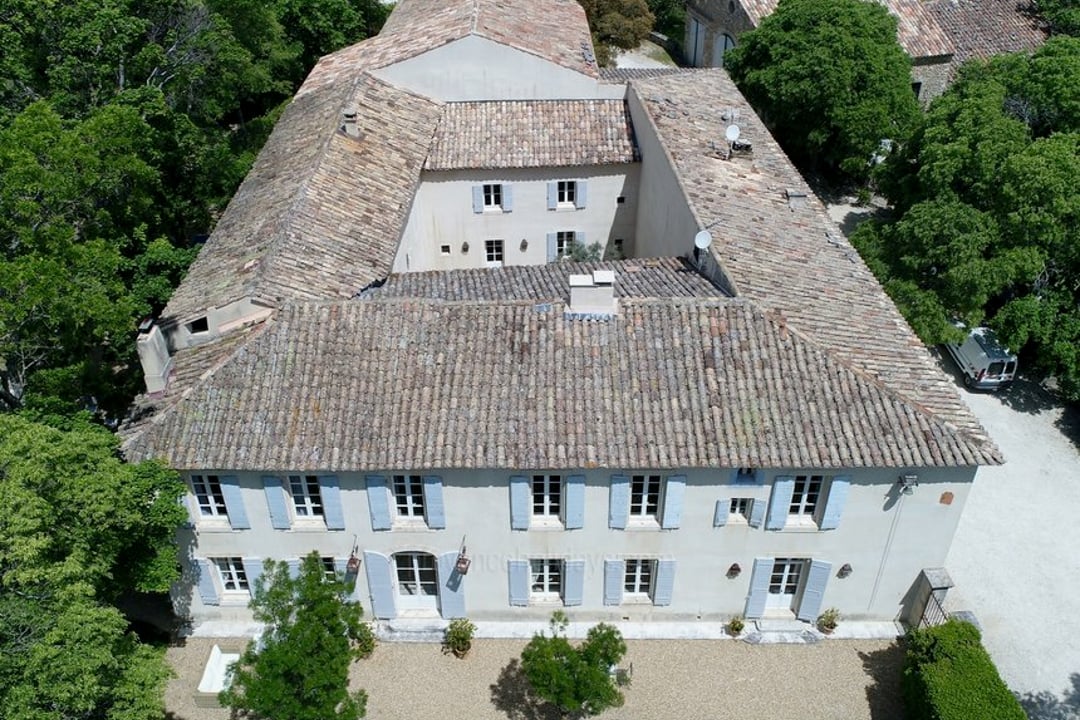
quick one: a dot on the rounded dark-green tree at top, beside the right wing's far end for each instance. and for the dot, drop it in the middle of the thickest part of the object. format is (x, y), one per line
(830, 79)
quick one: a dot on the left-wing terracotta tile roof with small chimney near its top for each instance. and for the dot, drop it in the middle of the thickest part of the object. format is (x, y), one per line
(305, 223)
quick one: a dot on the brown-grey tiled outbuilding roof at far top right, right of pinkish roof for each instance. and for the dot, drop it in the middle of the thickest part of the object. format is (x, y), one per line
(983, 29)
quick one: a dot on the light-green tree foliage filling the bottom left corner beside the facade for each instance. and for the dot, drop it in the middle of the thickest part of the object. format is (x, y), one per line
(79, 527)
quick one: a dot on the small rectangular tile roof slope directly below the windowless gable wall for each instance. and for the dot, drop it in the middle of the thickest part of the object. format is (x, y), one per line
(533, 134)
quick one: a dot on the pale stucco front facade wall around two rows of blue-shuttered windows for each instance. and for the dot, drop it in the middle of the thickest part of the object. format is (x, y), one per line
(886, 537)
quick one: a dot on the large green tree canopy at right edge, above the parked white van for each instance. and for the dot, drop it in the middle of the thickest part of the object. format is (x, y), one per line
(988, 220)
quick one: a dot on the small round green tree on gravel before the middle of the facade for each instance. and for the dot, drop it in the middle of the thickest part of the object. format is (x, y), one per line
(576, 681)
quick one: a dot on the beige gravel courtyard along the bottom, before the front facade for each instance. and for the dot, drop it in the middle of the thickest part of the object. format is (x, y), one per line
(686, 680)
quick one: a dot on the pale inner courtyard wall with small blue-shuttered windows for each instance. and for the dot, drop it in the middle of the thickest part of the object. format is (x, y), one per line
(443, 214)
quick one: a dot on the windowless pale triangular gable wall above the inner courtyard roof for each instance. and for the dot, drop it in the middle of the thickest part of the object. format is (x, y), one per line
(475, 69)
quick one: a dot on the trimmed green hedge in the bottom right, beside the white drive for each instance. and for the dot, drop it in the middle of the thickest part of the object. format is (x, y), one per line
(950, 676)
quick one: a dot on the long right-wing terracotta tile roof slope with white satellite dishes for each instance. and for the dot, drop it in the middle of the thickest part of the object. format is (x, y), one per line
(795, 262)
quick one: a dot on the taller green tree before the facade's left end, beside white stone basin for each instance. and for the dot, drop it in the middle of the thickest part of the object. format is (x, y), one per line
(301, 670)
